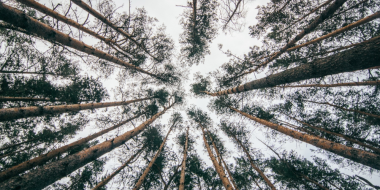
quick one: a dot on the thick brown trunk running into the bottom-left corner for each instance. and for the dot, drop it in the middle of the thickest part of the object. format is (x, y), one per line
(45, 175)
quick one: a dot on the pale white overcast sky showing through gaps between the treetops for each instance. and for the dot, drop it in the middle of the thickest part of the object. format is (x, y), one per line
(238, 43)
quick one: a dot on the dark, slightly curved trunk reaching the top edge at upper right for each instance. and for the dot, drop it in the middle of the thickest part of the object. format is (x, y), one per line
(322, 17)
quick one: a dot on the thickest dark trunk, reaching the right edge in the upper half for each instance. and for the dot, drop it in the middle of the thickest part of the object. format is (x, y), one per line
(357, 58)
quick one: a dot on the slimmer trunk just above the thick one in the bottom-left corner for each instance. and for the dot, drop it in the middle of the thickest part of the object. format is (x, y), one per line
(20, 168)
